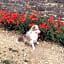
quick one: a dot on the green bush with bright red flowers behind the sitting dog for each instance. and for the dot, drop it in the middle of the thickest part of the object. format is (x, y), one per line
(50, 30)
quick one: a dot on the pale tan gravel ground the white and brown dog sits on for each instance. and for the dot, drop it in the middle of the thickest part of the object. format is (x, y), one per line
(19, 53)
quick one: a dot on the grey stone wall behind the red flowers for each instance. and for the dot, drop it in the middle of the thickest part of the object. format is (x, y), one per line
(46, 7)
